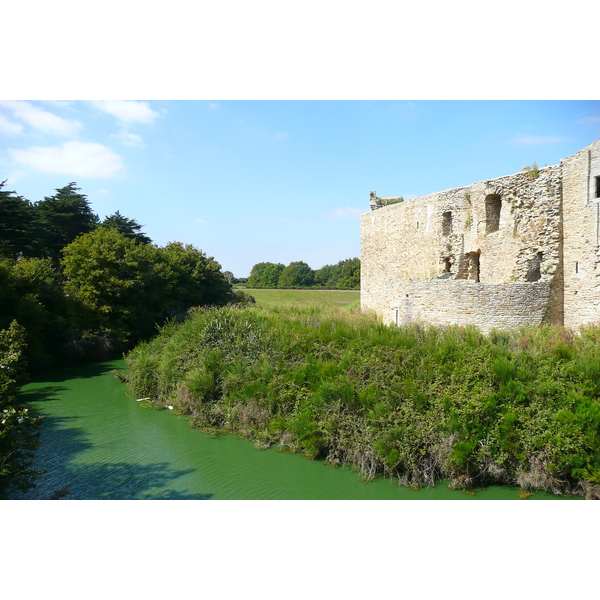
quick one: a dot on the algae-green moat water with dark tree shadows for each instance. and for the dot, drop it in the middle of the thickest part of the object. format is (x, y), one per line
(97, 443)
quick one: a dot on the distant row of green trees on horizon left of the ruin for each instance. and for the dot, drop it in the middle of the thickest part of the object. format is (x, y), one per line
(343, 275)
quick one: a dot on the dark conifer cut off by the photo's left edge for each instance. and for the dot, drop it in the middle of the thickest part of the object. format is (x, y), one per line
(16, 225)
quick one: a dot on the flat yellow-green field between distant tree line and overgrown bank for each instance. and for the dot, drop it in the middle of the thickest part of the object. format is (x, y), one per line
(286, 298)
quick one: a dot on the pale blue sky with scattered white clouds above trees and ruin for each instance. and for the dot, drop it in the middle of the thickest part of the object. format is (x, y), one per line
(249, 181)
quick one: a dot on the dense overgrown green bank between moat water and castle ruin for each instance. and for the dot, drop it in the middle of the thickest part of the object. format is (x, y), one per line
(413, 403)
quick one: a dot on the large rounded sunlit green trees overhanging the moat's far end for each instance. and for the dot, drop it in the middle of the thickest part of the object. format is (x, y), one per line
(125, 288)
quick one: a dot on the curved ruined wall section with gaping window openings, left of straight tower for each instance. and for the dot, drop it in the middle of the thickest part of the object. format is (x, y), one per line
(488, 254)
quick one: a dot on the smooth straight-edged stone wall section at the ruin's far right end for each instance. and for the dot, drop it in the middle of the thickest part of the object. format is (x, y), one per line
(581, 236)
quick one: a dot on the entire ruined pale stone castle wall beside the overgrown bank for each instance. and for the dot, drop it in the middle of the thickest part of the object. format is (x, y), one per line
(514, 250)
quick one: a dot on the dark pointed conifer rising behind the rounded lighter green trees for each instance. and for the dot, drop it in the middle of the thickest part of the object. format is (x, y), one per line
(61, 218)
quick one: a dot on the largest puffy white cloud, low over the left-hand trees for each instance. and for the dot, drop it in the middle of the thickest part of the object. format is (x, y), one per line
(81, 159)
